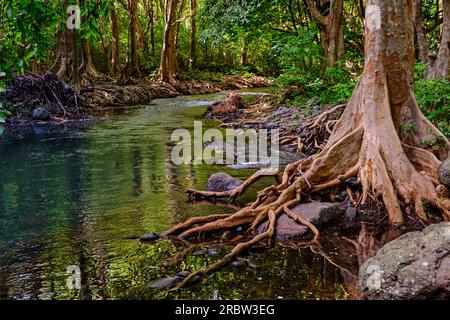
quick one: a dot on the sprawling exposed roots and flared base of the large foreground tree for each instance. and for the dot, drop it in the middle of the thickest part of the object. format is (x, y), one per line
(369, 145)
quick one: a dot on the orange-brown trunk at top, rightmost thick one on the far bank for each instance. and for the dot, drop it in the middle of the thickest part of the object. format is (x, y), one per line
(168, 65)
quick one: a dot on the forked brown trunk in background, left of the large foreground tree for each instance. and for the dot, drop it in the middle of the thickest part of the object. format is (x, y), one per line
(331, 29)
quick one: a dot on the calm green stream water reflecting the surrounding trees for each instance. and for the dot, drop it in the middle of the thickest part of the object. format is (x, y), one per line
(80, 196)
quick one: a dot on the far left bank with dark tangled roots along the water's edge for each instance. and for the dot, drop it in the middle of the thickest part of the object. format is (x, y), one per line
(45, 98)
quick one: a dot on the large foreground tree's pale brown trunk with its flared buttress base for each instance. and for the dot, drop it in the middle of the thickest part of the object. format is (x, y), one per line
(391, 162)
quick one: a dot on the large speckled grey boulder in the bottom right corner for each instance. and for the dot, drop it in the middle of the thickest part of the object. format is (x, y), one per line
(414, 266)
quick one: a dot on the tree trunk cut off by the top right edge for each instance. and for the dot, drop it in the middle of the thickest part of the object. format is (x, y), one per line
(441, 66)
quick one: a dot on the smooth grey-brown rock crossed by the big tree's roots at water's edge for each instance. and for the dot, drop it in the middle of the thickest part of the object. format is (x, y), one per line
(318, 213)
